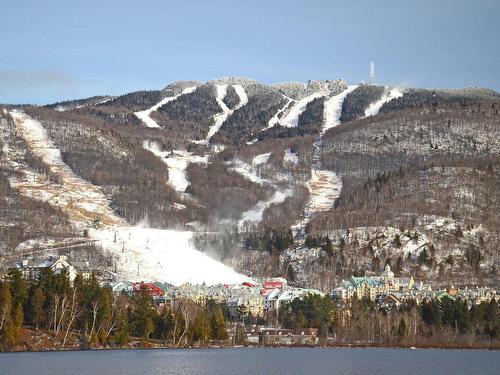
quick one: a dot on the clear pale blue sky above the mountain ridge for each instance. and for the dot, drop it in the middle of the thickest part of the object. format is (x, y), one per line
(59, 49)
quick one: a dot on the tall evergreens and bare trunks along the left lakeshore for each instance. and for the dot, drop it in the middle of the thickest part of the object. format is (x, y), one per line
(84, 314)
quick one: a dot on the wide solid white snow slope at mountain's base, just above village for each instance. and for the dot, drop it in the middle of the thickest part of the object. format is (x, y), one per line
(162, 255)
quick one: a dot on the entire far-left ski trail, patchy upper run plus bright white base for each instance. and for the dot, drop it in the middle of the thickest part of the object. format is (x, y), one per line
(139, 253)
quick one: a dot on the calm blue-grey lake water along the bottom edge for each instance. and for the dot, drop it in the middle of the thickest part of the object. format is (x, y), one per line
(254, 361)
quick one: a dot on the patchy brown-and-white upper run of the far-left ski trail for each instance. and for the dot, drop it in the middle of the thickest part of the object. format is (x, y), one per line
(80, 199)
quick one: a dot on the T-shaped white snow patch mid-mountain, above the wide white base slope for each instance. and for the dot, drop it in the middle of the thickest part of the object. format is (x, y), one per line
(177, 162)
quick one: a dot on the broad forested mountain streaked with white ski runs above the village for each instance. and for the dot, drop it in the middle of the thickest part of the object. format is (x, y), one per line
(219, 181)
